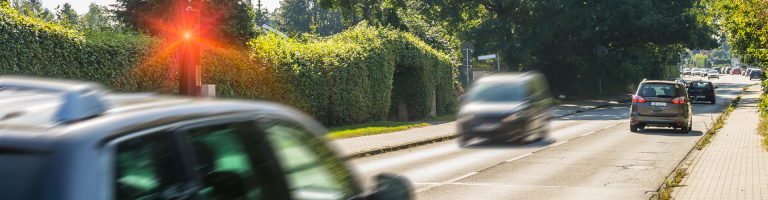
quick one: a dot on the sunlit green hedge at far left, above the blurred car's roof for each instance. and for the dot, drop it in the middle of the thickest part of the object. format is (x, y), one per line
(31, 46)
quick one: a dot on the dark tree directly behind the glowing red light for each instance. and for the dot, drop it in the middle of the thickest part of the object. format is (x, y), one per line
(229, 21)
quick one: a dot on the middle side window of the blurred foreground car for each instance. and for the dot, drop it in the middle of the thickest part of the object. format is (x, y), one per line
(230, 159)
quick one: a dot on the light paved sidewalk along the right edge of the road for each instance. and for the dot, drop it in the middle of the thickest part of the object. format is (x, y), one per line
(735, 164)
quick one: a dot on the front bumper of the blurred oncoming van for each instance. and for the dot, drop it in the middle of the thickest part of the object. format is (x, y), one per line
(491, 128)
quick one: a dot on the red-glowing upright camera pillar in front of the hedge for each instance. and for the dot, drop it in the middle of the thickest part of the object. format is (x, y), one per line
(189, 53)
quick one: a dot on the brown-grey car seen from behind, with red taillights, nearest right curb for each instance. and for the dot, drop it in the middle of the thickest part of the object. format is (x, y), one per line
(661, 104)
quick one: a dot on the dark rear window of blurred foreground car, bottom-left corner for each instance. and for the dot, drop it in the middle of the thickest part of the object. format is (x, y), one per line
(20, 174)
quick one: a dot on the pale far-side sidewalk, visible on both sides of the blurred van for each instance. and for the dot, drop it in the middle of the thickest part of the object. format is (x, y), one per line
(357, 145)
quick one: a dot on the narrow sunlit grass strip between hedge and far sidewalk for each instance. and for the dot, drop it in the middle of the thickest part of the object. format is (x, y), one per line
(372, 128)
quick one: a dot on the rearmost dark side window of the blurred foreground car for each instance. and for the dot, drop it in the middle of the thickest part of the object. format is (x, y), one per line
(145, 168)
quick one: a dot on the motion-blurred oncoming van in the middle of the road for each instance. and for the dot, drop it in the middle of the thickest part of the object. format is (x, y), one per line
(505, 106)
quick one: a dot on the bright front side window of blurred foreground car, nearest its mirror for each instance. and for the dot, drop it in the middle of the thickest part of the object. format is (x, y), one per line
(309, 166)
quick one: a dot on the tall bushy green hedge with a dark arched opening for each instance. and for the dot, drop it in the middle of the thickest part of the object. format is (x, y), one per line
(360, 74)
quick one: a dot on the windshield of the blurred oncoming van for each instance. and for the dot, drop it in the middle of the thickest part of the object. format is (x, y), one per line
(496, 92)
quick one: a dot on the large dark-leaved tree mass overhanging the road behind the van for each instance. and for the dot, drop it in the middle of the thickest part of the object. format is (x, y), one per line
(558, 37)
